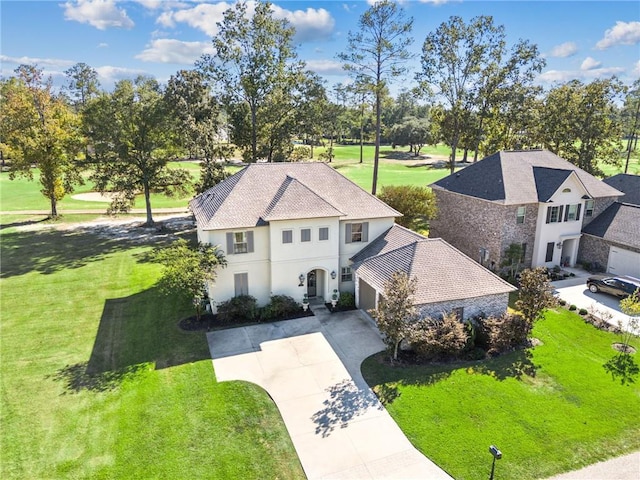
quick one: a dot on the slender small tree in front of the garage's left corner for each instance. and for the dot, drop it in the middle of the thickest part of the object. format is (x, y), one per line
(396, 310)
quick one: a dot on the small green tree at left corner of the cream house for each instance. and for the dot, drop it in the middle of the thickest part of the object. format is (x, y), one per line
(187, 269)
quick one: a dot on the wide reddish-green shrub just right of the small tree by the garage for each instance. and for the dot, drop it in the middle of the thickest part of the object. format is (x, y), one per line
(438, 339)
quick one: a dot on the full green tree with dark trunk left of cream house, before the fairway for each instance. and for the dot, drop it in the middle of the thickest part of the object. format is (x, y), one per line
(133, 138)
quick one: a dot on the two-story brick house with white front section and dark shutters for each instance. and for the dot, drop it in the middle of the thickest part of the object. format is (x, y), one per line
(531, 197)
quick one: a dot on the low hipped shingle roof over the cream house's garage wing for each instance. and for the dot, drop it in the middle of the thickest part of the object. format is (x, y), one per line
(442, 272)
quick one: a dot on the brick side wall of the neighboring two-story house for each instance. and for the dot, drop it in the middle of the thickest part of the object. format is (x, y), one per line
(470, 224)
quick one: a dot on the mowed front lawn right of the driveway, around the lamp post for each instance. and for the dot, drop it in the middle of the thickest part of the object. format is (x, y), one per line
(550, 410)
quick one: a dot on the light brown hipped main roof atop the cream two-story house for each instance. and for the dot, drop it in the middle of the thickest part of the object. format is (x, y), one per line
(278, 191)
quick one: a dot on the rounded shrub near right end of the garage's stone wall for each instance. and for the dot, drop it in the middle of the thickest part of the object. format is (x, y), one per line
(500, 334)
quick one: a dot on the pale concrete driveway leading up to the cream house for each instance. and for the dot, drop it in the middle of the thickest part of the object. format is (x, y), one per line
(311, 368)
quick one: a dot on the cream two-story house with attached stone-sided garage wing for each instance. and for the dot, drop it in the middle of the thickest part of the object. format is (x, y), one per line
(302, 228)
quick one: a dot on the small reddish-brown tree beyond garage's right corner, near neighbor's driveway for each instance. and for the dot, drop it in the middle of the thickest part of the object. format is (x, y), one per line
(535, 295)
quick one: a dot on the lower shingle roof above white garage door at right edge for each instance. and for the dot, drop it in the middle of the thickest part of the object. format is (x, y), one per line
(619, 223)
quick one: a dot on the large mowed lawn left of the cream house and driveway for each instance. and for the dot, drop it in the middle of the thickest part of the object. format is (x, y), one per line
(97, 381)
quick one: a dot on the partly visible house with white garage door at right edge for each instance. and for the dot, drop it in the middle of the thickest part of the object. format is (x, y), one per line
(612, 240)
